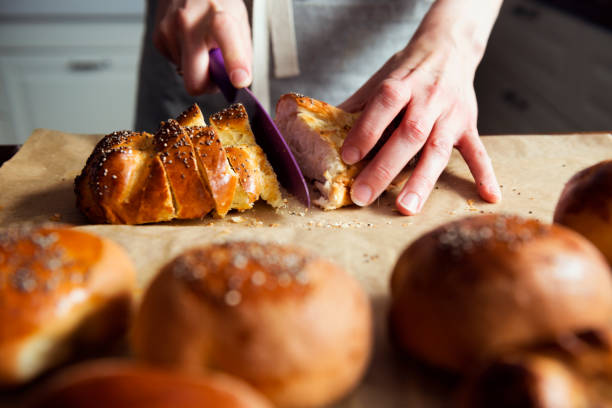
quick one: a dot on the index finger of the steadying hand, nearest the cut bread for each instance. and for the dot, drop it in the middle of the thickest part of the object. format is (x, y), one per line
(391, 96)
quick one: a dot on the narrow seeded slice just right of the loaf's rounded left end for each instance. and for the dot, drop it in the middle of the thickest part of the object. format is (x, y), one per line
(191, 198)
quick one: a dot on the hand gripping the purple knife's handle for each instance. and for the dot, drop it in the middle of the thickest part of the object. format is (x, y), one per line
(186, 30)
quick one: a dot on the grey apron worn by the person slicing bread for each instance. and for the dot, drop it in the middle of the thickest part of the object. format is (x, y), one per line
(340, 44)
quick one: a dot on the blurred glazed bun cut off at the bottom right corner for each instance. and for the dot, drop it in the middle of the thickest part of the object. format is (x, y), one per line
(574, 370)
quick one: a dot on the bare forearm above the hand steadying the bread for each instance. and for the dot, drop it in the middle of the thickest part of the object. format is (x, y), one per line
(463, 24)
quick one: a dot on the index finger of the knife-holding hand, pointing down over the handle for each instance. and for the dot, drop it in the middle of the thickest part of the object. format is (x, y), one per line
(226, 32)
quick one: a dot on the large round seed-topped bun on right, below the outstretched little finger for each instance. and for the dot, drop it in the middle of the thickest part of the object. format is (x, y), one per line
(477, 286)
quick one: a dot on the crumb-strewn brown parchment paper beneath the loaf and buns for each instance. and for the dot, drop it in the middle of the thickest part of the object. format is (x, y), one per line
(37, 185)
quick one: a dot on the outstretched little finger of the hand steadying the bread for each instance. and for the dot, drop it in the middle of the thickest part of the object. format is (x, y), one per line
(477, 159)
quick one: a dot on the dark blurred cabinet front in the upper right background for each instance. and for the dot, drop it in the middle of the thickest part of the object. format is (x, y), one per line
(547, 68)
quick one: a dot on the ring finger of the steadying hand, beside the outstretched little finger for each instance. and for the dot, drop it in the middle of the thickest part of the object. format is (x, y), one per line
(433, 161)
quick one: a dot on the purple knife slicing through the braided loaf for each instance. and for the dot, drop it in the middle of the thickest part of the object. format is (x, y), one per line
(266, 133)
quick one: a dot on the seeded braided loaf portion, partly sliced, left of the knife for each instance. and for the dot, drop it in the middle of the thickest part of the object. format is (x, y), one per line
(185, 170)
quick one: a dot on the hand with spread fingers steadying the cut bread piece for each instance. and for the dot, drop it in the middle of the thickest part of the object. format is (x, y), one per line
(432, 80)
